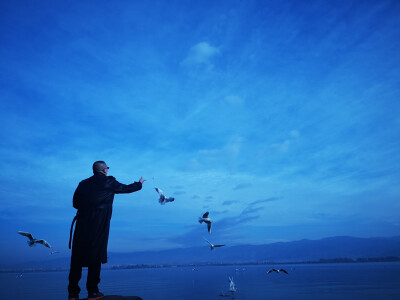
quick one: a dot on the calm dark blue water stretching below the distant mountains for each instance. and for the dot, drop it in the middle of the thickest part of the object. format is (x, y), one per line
(349, 281)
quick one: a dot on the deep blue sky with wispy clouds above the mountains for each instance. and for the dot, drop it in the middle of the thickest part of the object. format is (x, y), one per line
(281, 119)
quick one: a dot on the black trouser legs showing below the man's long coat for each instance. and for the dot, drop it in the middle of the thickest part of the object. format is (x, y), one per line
(92, 281)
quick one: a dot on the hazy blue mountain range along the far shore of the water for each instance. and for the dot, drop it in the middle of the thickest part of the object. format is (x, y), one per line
(295, 251)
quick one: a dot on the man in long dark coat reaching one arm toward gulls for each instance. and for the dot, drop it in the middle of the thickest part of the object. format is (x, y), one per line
(93, 198)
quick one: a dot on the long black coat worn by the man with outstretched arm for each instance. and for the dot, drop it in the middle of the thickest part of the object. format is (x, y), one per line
(93, 198)
